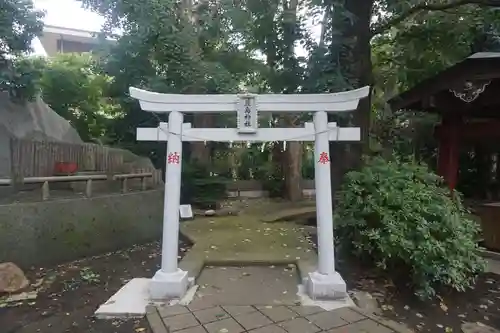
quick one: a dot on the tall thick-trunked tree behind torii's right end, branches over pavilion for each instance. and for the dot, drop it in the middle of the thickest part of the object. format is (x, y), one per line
(342, 59)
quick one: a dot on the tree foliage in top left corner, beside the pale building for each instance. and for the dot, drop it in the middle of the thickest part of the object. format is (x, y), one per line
(19, 24)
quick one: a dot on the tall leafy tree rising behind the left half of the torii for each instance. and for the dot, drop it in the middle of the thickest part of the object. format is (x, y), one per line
(172, 47)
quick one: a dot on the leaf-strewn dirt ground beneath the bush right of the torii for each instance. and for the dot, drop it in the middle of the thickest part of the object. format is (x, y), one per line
(444, 314)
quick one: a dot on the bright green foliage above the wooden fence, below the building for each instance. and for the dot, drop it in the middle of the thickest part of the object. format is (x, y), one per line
(72, 86)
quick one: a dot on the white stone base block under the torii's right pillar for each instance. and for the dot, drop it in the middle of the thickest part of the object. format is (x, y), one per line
(326, 287)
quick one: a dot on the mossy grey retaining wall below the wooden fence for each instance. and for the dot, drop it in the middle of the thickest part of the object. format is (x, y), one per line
(44, 233)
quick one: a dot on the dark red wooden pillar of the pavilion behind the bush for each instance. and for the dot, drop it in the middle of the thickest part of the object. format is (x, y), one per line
(449, 149)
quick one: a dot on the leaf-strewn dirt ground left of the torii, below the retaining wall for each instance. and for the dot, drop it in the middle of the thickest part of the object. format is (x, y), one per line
(69, 294)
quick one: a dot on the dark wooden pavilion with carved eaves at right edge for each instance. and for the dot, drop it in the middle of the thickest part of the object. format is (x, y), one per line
(466, 97)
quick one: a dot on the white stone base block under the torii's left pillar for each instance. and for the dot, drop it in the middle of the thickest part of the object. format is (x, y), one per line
(165, 286)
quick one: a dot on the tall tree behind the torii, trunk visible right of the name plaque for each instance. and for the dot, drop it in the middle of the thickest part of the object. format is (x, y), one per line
(274, 29)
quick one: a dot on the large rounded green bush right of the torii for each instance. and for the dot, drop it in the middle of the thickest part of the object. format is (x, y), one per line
(401, 217)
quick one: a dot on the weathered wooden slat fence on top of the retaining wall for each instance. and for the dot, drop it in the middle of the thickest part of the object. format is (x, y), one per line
(38, 158)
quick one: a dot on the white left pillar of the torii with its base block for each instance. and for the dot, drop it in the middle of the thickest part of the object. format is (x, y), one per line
(170, 281)
